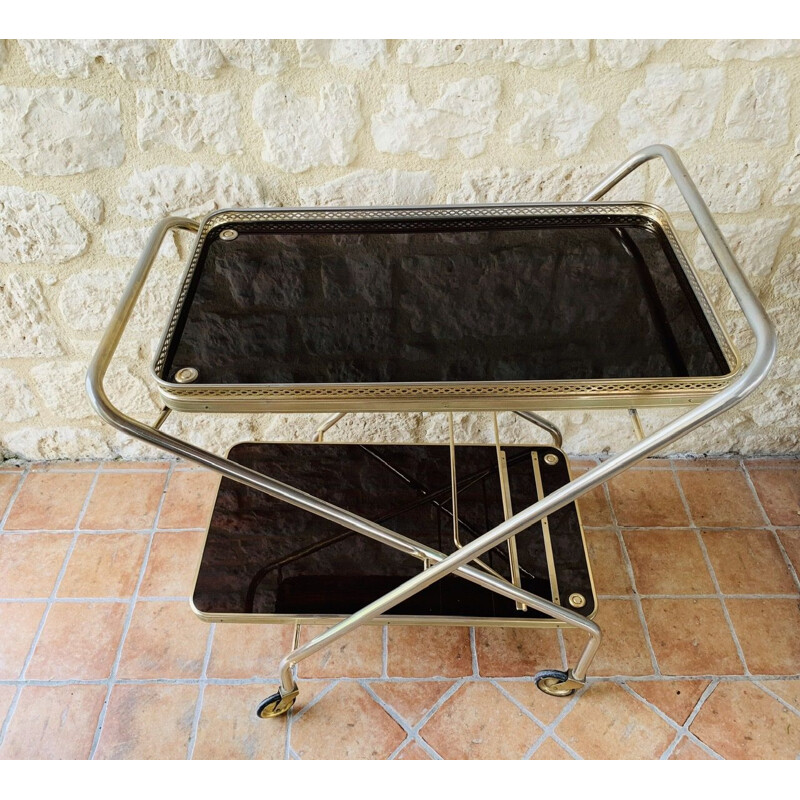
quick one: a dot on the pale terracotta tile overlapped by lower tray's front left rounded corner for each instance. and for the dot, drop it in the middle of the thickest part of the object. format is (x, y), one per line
(165, 640)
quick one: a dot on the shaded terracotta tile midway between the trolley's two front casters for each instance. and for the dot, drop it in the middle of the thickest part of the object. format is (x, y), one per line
(423, 652)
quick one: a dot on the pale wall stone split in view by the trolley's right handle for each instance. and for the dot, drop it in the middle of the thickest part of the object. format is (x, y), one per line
(726, 188)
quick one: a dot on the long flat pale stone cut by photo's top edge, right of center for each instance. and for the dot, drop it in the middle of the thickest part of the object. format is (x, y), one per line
(538, 53)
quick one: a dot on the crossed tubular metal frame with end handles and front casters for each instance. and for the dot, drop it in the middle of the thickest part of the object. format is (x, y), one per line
(458, 562)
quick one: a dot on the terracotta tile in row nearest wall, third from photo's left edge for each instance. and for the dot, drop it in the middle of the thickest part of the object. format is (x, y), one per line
(124, 501)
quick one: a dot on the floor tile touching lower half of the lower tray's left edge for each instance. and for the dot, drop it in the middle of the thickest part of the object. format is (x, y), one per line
(172, 564)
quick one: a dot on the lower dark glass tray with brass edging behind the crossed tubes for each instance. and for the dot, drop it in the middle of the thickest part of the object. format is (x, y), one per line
(267, 561)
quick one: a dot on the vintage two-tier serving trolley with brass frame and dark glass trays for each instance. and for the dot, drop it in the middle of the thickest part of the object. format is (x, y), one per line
(490, 307)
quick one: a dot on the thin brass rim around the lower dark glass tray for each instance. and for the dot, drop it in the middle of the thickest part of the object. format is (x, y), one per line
(483, 622)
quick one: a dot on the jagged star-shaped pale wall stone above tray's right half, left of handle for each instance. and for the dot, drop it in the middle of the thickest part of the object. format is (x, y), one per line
(563, 116)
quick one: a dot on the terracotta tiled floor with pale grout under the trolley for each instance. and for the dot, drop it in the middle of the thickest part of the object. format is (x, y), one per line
(696, 564)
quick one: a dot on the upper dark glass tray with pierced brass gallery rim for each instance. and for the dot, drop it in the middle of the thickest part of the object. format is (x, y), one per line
(447, 307)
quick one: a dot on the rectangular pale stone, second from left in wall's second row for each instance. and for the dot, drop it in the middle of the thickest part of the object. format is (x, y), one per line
(188, 121)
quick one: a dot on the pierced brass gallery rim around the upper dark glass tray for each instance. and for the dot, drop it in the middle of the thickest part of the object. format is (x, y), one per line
(453, 396)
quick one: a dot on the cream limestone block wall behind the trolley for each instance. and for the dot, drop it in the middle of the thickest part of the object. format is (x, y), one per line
(100, 138)
